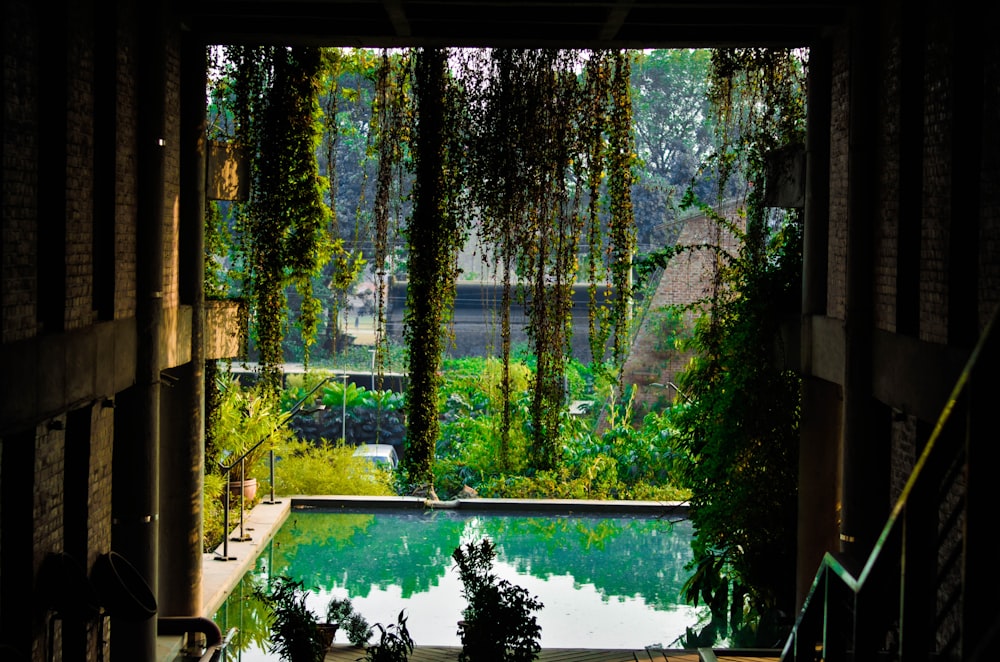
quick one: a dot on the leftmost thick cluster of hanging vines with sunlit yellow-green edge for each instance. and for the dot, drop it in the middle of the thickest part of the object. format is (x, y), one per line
(283, 231)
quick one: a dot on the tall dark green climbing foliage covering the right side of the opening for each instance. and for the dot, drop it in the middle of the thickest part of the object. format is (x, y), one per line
(738, 426)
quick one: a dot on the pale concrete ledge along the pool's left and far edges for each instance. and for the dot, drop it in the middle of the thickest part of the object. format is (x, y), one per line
(229, 562)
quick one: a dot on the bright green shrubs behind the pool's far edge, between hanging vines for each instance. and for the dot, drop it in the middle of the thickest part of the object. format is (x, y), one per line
(627, 461)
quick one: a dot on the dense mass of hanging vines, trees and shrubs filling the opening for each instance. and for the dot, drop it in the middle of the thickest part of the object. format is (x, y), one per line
(538, 153)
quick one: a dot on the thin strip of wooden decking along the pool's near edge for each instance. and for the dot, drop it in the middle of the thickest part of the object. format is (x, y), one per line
(346, 653)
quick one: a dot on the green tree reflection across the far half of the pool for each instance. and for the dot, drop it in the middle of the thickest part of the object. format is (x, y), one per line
(621, 557)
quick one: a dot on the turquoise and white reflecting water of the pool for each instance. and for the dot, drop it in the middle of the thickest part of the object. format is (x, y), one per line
(604, 581)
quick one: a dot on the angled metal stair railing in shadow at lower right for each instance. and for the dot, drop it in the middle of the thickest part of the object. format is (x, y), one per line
(913, 597)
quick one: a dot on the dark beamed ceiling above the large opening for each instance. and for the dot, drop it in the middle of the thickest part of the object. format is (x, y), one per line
(513, 23)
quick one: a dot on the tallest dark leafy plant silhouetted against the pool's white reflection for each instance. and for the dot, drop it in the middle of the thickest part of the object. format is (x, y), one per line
(498, 620)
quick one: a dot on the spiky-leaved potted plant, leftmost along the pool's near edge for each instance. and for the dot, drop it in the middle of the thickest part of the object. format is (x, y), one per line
(296, 633)
